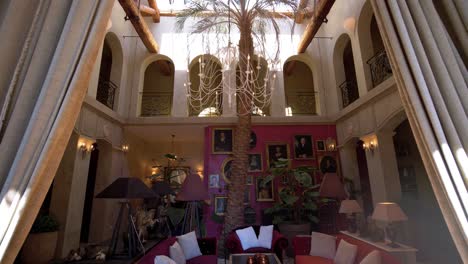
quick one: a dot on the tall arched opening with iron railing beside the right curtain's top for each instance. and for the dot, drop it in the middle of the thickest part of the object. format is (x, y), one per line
(373, 52)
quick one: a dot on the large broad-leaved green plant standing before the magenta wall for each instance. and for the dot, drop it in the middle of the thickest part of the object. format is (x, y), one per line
(298, 199)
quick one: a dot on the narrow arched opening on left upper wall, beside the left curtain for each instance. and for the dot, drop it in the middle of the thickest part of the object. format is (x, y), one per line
(110, 71)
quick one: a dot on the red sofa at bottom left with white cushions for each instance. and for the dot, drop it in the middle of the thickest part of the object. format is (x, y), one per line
(208, 247)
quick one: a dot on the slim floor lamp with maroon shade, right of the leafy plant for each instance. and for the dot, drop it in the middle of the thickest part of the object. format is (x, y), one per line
(331, 187)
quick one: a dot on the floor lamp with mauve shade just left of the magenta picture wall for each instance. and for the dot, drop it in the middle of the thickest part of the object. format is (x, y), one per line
(192, 191)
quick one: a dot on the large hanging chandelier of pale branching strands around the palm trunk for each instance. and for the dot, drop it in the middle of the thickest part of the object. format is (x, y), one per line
(219, 75)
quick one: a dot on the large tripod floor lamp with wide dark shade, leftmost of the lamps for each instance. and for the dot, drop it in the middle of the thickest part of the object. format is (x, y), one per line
(126, 189)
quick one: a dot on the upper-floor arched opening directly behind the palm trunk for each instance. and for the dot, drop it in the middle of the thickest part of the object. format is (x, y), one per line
(261, 107)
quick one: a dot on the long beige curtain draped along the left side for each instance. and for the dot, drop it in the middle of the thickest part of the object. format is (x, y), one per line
(49, 47)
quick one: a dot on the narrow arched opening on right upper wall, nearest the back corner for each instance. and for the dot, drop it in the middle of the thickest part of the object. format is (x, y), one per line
(345, 71)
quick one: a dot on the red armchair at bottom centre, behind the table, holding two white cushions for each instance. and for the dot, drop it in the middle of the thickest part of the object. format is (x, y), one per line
(278, 243)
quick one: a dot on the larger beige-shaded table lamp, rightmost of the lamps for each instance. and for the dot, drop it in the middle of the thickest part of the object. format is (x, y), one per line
(390, 213)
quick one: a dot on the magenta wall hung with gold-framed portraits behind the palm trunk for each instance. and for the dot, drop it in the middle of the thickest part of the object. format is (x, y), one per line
(302, 145)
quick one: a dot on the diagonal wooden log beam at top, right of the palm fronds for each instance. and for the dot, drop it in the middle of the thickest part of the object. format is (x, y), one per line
(319, 16)
